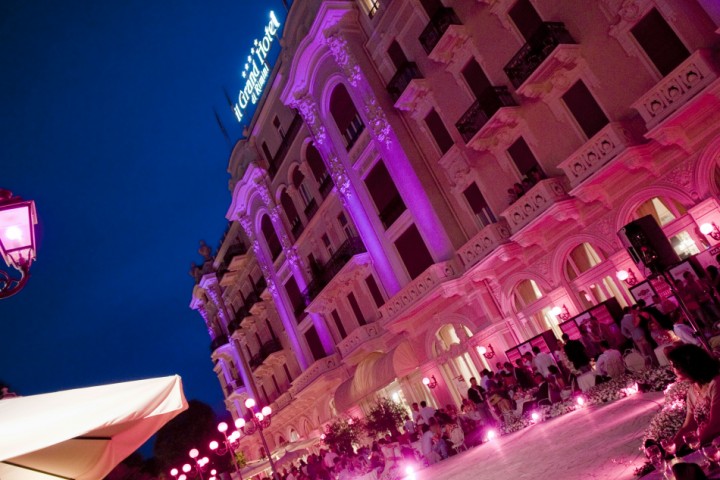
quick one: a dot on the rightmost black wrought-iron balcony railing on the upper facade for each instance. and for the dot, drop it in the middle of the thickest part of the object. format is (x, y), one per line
(537, 49)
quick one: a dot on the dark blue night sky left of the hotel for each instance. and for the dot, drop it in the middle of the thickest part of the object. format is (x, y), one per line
(106, 121)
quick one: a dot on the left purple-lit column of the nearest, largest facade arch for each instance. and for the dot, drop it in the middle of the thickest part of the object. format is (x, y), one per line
(308, 109)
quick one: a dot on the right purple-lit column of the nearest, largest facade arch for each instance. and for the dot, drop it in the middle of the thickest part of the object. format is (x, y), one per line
(387, 142)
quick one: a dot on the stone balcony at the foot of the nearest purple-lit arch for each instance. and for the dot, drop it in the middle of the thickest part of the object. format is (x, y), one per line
(418, 289)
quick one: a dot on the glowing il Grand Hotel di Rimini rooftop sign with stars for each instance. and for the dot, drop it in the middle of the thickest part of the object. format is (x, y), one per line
(257, 71)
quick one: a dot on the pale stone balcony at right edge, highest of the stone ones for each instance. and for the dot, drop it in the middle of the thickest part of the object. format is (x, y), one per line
(672, 92)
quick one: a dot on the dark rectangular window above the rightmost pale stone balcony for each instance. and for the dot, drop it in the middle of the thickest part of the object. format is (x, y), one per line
(660, 42)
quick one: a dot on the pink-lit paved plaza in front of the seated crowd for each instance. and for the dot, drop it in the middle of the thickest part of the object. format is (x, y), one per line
(593, 443)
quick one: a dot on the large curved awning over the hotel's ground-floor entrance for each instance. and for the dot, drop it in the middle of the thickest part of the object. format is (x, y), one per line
(374, 372)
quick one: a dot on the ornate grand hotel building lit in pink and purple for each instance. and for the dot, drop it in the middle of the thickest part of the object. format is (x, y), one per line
(372, 240)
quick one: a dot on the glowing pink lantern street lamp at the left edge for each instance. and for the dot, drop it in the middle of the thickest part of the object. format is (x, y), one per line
(17, 240)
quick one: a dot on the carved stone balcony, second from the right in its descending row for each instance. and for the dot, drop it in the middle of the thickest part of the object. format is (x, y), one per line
(596, 152)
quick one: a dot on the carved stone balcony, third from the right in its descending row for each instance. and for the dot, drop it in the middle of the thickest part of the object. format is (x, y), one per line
(531, 205)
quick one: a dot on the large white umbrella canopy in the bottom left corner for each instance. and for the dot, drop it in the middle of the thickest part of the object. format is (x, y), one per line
(84, 433)
